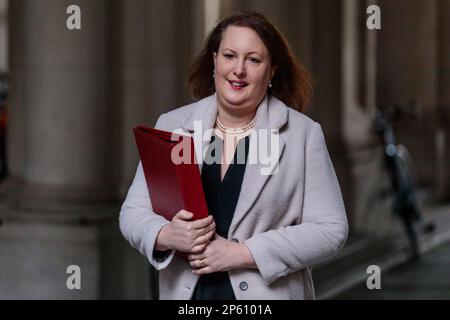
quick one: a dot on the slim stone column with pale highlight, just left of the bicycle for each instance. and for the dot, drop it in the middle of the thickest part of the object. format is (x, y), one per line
(361, 158)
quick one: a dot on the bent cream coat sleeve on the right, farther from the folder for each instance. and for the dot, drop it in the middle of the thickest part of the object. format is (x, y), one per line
(323, 229)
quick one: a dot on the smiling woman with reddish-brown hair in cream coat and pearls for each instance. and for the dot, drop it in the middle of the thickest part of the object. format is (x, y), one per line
(265, 231)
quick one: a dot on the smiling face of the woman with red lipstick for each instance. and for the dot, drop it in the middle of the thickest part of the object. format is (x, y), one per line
(242, 69)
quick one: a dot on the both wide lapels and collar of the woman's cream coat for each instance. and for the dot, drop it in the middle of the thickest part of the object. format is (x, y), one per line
(272, 114)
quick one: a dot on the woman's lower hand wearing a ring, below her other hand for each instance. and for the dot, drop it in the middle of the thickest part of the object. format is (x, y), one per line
(221, 255)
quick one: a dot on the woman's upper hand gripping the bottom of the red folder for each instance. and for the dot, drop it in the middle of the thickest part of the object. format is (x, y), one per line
(184, 235)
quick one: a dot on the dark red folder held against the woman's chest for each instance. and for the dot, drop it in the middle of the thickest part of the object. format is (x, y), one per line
(172, 187)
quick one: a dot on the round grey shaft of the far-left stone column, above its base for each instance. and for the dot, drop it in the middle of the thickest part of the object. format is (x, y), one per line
(58, 134)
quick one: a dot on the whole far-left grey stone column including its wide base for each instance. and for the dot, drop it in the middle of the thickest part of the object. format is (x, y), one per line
(56, 207)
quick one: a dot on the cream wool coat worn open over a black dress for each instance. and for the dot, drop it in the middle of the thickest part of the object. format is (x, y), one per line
(290, 220)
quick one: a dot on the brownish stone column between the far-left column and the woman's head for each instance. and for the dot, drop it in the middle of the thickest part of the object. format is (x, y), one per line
(154, 44)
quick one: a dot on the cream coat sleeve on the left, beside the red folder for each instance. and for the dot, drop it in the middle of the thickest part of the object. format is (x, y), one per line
(139, 225)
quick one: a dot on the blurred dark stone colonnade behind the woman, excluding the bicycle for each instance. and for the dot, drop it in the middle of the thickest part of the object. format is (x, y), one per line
(69, 100)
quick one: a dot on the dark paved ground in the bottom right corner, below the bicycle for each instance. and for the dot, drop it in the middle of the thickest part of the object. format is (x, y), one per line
(428, 278)
